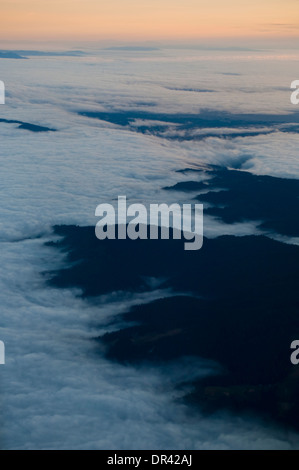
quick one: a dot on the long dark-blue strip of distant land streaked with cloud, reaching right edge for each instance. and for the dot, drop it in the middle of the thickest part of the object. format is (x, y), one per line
(221, 124)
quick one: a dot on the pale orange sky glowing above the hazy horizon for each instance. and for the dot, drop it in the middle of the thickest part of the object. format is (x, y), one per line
(147, 19)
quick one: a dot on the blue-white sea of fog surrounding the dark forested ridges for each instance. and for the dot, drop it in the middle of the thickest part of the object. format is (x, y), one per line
(57, 391)
